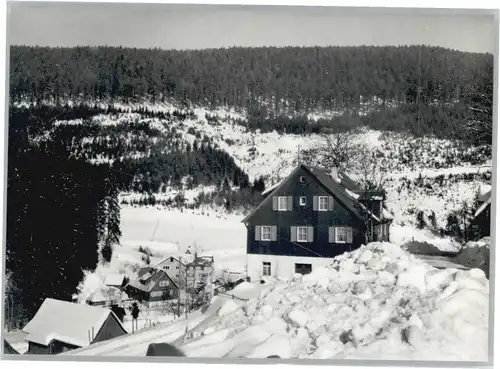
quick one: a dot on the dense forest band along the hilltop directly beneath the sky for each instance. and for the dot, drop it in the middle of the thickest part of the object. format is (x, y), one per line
(417, 88)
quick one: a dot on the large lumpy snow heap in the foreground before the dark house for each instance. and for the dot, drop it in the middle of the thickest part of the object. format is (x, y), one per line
(378, 302)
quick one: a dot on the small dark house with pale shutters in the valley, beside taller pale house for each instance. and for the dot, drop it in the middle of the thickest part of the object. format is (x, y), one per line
(152, 287)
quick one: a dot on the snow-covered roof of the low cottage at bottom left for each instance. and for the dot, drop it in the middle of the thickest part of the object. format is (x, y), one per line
(66, 322)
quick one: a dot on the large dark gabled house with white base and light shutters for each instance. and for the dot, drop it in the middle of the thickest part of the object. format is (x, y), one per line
(309, 218)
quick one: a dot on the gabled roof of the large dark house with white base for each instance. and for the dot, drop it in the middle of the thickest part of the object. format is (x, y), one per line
(345, 190)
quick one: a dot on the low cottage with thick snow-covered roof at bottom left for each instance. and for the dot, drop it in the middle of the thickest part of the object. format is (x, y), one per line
(59, 326)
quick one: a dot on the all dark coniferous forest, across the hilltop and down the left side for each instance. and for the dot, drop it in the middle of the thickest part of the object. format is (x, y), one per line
(63, 211)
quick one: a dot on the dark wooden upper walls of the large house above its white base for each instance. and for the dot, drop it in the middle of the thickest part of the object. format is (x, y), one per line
(303, 189)
